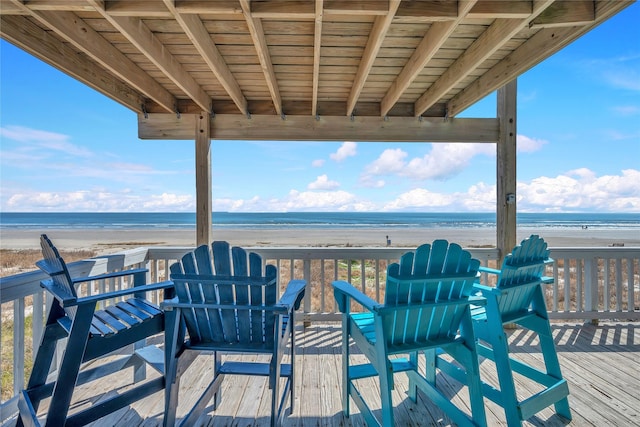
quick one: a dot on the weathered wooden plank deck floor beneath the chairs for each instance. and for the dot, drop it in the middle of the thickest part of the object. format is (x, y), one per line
(601, 364)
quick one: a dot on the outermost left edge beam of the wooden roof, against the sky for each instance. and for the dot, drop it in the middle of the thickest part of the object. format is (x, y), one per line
(31, 38)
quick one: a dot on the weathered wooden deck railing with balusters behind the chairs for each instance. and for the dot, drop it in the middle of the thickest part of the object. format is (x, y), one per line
(590, 283)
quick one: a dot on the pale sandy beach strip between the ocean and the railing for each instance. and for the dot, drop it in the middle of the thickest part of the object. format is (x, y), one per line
(112, 240)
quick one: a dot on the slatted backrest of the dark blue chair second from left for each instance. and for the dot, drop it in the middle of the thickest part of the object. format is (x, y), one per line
(236, 289)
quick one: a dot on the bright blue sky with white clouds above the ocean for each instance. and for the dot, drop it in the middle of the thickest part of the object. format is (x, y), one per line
(65, 147)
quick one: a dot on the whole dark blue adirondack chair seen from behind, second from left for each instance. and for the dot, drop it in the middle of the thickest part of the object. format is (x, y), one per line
(229, 303)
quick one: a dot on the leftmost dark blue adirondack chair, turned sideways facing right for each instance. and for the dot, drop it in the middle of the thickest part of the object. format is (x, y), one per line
(90, 334)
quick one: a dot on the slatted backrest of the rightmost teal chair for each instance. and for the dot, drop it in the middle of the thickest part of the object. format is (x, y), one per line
(521, 273)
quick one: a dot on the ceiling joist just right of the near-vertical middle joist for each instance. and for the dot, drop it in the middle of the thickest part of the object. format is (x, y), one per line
(376, 37)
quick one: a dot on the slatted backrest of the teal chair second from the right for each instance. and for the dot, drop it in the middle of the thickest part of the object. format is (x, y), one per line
(426, 293)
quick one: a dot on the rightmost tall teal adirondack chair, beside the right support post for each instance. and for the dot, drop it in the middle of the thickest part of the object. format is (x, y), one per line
(518, 299)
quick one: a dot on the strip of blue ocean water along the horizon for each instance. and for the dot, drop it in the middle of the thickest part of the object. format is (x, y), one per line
(333, 220)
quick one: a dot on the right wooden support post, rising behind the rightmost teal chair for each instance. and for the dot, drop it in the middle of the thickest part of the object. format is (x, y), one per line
(506, 170)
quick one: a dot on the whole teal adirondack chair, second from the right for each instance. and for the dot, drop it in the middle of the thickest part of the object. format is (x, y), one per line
(427, 308)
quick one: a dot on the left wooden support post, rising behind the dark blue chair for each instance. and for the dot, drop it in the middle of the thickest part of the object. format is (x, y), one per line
(203, 179)
